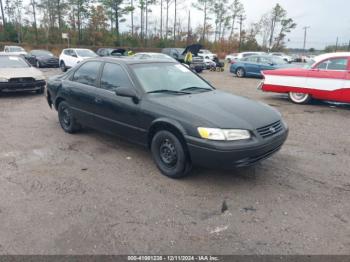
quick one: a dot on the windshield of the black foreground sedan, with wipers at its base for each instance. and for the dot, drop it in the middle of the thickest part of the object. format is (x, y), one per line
(169, 77)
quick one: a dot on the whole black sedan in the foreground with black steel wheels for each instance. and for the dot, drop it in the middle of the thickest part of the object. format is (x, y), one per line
(166, 107)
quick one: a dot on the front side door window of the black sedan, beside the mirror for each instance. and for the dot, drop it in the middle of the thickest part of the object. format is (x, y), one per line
(113, 76)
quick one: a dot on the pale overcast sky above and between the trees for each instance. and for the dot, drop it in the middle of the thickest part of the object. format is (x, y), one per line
(328, 19)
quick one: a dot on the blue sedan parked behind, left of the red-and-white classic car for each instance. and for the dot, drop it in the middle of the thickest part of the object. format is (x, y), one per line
(253, 65)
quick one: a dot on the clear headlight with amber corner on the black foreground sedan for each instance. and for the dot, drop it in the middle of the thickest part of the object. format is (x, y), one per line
(223, 134)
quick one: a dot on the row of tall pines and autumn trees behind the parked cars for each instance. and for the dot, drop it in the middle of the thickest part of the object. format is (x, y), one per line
(143, 23)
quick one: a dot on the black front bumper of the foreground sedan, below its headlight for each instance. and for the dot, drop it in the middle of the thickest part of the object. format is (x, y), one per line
(233, 154)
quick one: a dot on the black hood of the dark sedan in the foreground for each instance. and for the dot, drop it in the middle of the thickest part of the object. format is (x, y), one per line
(220, 109)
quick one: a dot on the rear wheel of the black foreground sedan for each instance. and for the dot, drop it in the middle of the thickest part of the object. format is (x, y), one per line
(66, 118)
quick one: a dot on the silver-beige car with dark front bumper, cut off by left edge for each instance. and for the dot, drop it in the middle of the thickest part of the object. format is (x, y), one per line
(16, 74)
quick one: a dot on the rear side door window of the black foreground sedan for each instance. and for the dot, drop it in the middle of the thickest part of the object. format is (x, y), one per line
(87, 73)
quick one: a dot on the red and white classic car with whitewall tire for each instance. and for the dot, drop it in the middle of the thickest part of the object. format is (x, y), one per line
(327, 78)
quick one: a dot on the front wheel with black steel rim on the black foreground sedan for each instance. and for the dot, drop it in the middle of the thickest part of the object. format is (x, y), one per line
(170, 154)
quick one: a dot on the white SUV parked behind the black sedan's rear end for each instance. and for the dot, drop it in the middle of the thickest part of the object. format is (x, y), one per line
(72, 56)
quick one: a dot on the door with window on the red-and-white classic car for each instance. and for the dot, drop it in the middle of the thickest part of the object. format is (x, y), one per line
(327, 79)
